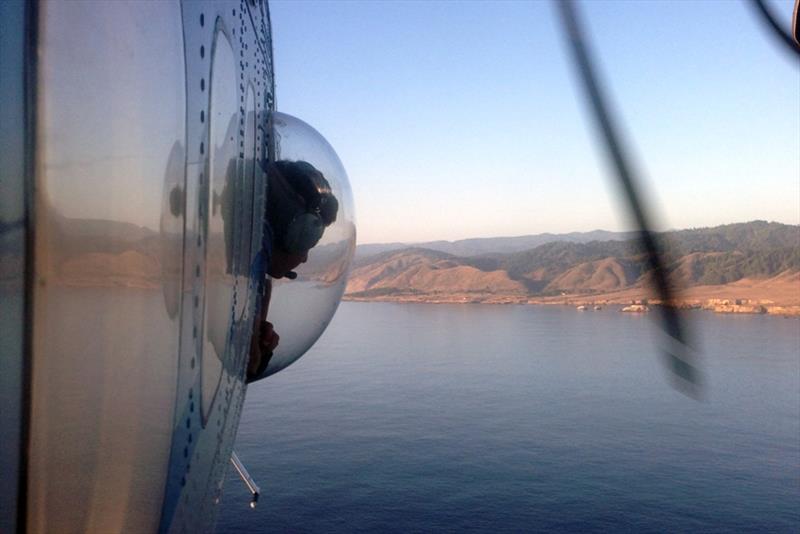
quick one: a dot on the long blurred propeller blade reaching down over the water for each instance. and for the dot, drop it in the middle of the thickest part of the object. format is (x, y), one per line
(678, 356)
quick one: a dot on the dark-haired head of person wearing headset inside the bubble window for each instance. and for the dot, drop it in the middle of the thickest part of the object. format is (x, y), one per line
(300, 205)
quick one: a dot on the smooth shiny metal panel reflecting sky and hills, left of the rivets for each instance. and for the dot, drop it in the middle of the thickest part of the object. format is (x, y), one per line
(109, 169)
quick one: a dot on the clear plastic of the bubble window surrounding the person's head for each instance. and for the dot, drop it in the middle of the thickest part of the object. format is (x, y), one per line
(302, 308)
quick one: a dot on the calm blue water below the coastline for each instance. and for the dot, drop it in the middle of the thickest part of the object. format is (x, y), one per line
(484, 418)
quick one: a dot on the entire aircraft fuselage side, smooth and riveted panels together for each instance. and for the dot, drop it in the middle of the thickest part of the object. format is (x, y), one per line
(150, 131)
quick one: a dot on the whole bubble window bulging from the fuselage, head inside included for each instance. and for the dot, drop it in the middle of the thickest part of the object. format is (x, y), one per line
(301, 308)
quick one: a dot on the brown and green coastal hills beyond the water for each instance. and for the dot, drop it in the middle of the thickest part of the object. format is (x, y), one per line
(715, 256)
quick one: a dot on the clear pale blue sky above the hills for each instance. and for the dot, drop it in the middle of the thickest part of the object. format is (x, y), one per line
(465, 119)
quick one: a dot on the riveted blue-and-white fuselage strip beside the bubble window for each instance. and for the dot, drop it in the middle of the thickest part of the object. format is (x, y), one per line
(218, 303)
